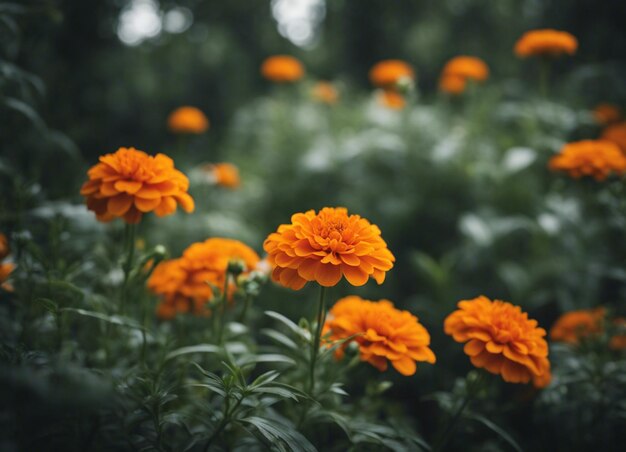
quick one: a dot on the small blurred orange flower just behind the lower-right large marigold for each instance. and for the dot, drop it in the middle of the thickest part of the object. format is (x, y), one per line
(575, 325)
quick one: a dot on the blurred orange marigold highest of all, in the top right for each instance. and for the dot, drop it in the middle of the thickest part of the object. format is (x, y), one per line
(546, 43)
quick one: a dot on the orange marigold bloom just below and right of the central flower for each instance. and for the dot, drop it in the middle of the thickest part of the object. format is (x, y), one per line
(382, 332)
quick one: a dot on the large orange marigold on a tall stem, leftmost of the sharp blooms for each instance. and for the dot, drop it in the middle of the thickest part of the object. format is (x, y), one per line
(129, 183)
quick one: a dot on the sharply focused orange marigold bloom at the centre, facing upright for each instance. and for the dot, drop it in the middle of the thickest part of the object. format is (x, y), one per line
(325, 246)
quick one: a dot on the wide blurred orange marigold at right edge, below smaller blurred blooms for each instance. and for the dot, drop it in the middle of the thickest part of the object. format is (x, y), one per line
(596, 158)
